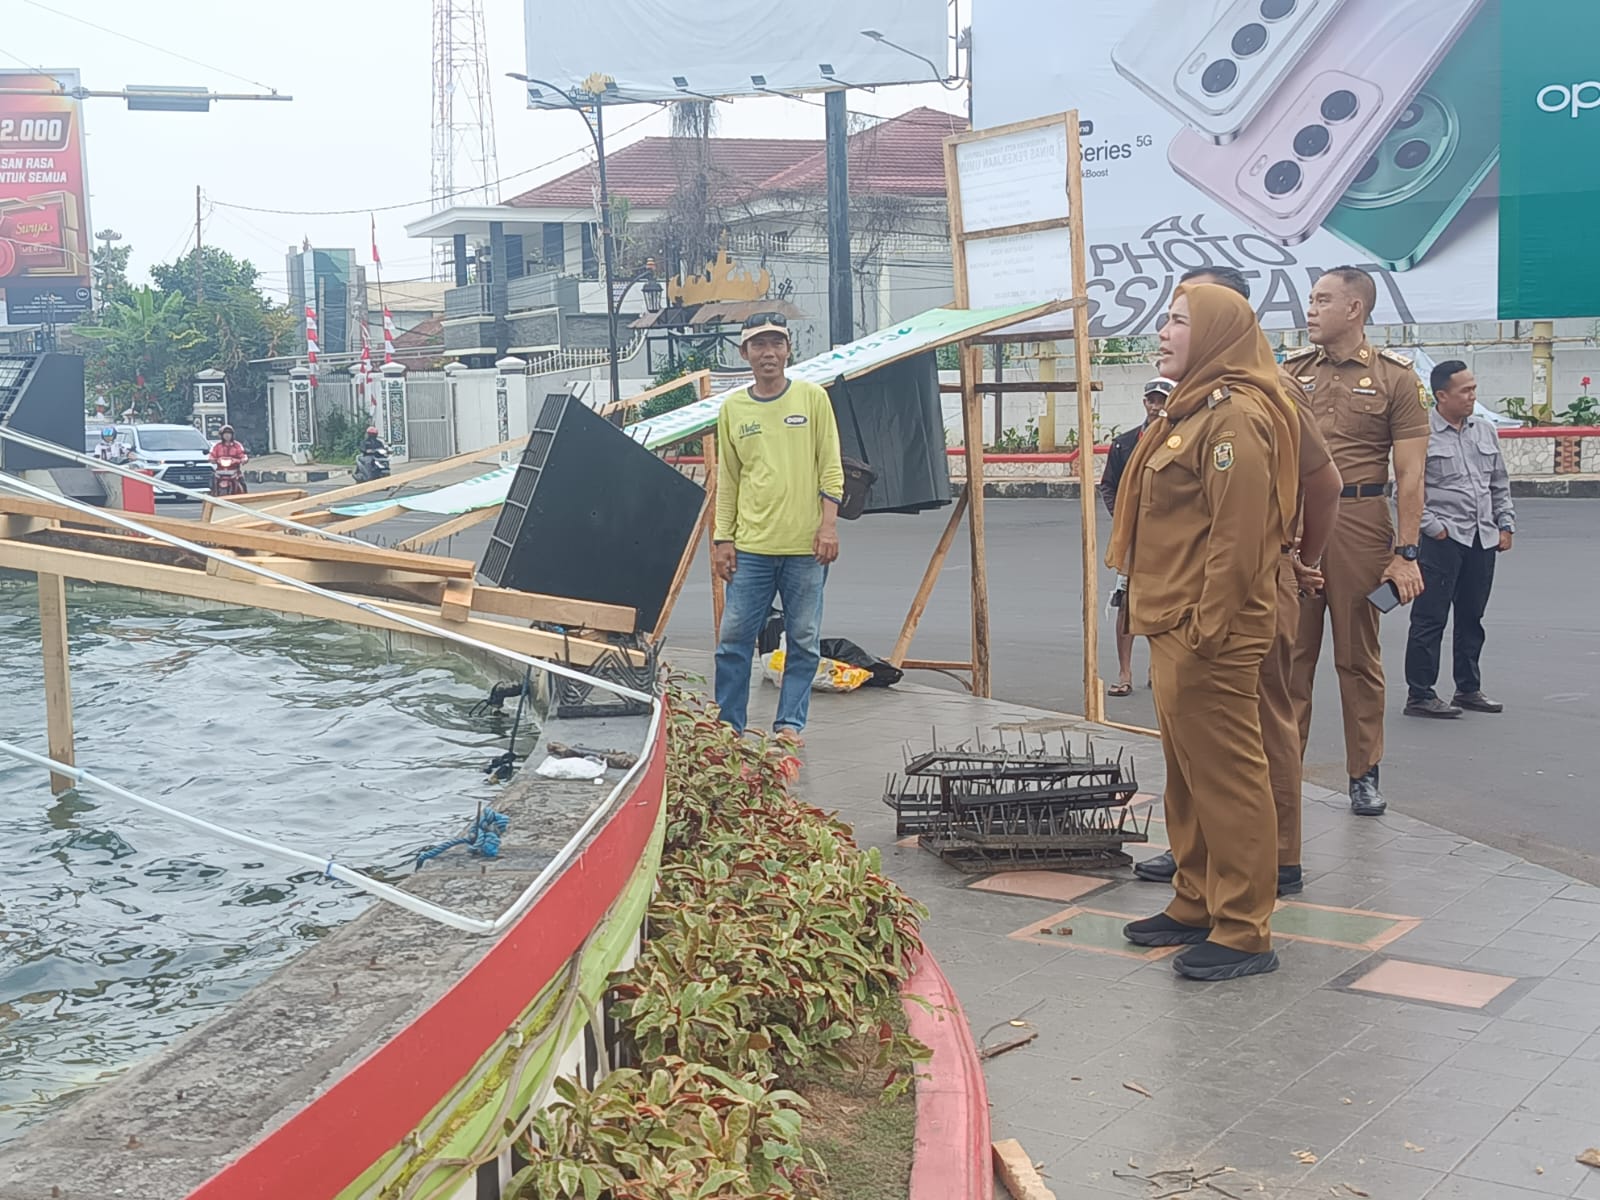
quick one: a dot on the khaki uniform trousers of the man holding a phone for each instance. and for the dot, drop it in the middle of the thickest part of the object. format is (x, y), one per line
(1358, 556)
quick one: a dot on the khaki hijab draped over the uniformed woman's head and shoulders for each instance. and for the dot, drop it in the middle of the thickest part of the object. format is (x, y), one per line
(1226, 350)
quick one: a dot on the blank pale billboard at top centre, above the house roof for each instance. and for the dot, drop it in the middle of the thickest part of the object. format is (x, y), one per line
(665, 50)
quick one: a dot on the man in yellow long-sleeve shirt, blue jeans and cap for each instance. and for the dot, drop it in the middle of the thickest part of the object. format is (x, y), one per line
(780, 484)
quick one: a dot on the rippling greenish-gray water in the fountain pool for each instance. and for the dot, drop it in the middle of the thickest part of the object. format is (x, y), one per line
(119, 929)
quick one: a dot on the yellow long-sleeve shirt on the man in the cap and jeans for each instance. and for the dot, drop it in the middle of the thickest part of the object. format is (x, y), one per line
(777, 460)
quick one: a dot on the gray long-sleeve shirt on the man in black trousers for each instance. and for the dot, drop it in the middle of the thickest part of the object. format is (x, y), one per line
(1468, 489)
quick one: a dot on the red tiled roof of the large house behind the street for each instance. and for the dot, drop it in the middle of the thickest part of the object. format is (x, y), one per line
(902, 156)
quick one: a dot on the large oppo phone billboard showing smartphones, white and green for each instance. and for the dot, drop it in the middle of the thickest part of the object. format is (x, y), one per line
(1449, 146)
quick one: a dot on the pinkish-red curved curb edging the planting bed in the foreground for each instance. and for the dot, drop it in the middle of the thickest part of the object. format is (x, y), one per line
(953, 1159)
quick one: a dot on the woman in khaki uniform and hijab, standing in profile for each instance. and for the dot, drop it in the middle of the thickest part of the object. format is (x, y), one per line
(1204, 514)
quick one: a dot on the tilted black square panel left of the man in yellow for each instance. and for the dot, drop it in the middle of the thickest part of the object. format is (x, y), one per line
(591, 514)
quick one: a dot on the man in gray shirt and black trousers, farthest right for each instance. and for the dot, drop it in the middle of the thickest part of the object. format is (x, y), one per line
(1466, 522)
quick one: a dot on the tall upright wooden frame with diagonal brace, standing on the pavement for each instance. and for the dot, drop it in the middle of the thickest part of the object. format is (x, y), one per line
(1068, 217)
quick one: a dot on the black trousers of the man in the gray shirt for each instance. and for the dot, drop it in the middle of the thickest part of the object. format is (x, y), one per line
(1458, 578)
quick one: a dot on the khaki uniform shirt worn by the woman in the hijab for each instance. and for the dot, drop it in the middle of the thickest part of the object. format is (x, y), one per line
(1204, 556)
